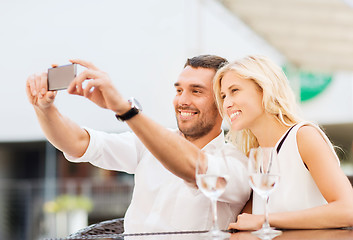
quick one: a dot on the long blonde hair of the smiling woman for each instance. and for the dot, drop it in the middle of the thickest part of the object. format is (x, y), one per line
(278, 98)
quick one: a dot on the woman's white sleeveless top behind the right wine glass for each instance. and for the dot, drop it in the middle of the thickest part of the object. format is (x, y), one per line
(297, 189)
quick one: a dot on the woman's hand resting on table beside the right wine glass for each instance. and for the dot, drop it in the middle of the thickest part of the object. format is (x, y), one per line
(247, 221)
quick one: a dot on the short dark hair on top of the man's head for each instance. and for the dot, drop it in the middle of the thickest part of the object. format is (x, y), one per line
(206, 61)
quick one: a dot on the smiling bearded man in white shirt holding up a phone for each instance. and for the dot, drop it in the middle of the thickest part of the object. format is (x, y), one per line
(165, 196)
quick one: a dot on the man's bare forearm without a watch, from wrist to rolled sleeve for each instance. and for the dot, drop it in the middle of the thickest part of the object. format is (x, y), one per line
(64, 134)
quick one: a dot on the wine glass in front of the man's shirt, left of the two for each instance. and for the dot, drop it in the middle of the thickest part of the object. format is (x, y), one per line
(212, 174)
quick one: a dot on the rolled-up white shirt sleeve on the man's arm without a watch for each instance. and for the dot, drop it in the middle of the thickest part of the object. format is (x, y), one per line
(111, 151)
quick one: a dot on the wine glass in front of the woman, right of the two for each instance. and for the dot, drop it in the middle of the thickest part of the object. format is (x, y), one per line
(264, 175)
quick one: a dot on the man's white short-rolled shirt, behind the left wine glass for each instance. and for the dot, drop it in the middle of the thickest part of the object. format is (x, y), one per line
(162, 201)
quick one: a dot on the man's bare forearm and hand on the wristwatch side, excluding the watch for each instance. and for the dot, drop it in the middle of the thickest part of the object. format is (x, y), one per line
(165, 145)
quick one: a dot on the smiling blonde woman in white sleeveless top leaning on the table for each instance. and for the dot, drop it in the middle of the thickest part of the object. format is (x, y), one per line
(255, 97)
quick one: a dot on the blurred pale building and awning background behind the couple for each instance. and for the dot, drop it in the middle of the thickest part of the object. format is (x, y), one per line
(143, 45)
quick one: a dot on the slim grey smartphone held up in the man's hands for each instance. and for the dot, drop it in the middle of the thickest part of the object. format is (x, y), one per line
(60, 77)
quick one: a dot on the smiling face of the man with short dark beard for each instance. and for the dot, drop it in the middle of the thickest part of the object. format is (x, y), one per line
(195, 108)
